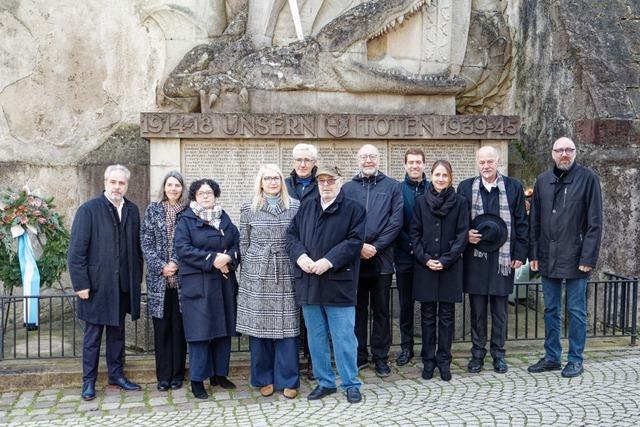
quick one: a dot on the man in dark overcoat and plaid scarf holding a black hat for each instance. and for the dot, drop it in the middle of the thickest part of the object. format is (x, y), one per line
(488, 276)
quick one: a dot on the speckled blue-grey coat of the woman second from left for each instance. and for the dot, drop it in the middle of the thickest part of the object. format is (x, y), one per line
(154, 242)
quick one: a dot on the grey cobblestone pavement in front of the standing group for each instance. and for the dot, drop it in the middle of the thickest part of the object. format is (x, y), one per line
(608, 393)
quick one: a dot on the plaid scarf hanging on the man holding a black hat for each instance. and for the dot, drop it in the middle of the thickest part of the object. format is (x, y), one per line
(504, 256)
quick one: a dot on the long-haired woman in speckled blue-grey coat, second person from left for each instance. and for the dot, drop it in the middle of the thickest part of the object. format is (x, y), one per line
(156, 236)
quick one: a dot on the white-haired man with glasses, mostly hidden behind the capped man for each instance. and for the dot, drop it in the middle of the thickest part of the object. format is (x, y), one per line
(301, 183)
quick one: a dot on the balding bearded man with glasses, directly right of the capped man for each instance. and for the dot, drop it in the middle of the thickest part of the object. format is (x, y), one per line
(381, 197)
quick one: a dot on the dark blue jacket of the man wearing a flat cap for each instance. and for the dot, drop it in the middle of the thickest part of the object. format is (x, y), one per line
(335, 234)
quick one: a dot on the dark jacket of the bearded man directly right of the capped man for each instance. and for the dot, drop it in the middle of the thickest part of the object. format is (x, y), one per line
(382, 199)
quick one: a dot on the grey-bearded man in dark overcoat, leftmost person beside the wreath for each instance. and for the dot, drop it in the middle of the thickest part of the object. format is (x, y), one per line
(105, 265)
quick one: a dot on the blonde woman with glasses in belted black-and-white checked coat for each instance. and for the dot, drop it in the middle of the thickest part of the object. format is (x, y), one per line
(267, 310)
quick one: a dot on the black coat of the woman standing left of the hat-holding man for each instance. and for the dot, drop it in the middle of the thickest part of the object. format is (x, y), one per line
(443, 239)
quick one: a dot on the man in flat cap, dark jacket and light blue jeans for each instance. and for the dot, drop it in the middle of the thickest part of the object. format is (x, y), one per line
(324, 242)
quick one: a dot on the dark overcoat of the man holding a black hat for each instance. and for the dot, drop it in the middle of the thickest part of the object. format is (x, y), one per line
(481, 276)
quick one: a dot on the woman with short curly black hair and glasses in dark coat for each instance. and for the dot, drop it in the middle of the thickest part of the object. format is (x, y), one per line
(207, 245)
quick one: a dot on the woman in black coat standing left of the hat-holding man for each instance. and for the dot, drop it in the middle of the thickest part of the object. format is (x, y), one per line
(439, 235)
